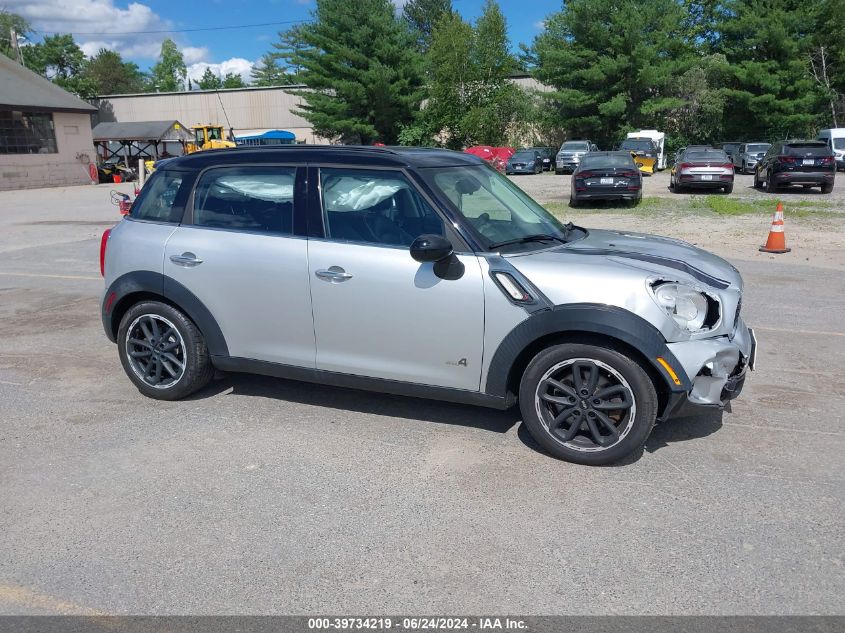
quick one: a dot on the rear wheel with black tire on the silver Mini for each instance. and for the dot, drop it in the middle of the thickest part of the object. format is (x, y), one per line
(182, 349)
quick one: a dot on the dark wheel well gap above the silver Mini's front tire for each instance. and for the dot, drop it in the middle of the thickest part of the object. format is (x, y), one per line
(589, 338)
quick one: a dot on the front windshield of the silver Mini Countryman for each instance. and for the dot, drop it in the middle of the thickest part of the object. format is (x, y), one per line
(496, 208)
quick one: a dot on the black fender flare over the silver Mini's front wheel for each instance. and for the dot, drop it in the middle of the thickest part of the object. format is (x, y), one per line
(591, 318)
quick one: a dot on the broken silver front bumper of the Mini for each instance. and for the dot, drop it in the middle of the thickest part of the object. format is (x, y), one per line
(717, 366)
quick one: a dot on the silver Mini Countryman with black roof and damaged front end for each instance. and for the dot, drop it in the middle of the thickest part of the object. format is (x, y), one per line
(419, 272)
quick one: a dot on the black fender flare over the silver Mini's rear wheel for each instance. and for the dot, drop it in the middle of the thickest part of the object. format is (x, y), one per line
(155, 283)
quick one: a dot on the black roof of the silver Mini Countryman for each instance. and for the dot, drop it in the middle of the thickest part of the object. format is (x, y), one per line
(343, 154)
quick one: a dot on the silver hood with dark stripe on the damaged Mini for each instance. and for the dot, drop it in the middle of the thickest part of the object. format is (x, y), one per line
(651, 253)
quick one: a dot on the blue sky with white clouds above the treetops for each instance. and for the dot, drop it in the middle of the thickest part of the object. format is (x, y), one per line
(96, 23)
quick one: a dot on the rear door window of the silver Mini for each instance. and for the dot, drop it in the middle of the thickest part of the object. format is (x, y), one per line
(249, 198)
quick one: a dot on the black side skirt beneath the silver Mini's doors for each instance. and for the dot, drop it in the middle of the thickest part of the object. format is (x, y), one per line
(380, 385)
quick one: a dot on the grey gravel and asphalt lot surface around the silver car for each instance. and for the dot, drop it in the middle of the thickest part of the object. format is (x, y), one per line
(269, 496)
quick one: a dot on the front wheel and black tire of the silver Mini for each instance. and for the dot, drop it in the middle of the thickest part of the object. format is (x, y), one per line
(613, 370)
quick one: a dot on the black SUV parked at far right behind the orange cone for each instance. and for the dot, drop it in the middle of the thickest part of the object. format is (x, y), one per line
(807, 163)
